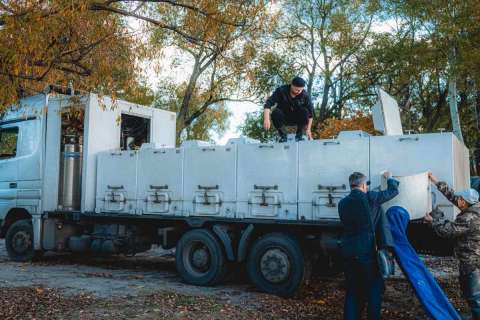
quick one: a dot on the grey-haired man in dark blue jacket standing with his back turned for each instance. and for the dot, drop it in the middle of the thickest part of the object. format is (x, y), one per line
(361, 214)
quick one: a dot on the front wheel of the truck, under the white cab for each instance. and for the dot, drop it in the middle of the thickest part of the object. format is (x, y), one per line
(19, 241)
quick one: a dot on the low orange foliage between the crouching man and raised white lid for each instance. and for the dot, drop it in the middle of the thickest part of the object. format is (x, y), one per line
(332, 127)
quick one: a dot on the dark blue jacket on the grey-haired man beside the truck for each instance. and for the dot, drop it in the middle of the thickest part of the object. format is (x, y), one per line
(357, 211)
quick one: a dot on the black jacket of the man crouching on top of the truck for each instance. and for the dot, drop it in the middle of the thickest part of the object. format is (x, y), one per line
(281, 97)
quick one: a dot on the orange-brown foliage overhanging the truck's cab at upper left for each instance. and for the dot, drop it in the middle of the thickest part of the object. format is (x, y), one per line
(61, 41)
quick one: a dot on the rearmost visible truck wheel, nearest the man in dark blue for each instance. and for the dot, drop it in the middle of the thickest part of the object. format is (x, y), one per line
(276, 264)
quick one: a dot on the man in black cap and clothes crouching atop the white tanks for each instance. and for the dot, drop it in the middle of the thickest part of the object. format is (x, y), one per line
(293, 107)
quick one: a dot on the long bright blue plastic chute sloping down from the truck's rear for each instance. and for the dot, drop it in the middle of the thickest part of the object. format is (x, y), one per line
(431, 296)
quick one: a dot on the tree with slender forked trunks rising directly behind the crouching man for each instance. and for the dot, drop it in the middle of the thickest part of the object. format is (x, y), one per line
(320, 39)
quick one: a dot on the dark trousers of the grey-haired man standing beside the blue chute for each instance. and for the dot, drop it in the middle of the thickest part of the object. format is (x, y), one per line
(365, 287)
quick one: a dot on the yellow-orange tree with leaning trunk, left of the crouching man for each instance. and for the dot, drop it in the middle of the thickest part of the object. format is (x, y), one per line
(220, 53)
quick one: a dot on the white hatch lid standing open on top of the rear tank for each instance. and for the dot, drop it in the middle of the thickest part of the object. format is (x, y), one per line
(386, 115)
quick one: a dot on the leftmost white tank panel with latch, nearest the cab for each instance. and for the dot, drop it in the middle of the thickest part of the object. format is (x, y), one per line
(117, 182)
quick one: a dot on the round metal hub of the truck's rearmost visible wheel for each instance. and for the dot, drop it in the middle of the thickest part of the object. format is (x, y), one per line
(275, 265)
